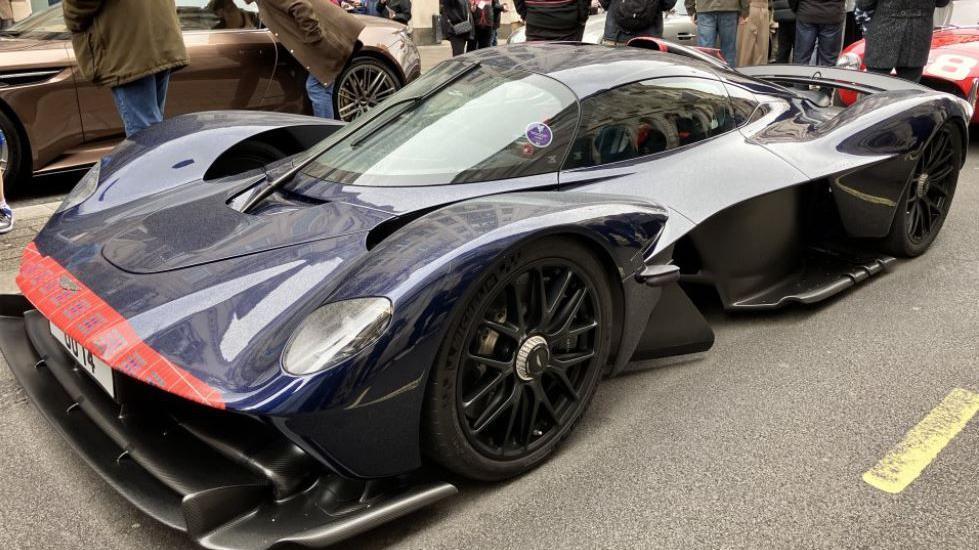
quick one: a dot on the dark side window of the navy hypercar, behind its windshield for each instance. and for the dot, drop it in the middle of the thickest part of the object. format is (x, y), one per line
(649, 117)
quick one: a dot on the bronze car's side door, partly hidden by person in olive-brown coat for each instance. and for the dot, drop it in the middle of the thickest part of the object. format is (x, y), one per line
(232, 66)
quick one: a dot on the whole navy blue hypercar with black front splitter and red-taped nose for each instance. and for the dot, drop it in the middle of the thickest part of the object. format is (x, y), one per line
(260, 327)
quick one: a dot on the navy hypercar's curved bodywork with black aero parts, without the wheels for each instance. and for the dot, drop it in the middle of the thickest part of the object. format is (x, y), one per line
(174, 280)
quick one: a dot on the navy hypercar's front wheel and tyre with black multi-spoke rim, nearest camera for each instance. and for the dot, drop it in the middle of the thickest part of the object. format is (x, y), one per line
(521, 362)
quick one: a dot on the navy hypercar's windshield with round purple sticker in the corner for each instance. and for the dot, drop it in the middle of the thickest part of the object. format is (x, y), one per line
(486, 125)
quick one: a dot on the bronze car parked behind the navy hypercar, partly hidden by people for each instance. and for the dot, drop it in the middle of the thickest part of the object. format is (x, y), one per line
(52, 119)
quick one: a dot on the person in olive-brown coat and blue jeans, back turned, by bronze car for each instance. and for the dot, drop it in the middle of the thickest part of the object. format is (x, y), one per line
(131, 47)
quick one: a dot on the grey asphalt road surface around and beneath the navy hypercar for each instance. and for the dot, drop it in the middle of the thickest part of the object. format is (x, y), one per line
(760, 443)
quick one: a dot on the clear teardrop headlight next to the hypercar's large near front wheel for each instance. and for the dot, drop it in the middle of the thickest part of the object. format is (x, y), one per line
(335, 332)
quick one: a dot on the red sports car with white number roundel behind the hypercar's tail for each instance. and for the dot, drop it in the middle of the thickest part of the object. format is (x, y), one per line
(953, 64)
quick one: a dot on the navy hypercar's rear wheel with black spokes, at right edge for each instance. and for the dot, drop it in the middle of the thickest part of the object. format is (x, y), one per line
(925, 205)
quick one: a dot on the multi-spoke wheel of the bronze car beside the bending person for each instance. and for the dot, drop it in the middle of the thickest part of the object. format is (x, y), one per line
(364, 83)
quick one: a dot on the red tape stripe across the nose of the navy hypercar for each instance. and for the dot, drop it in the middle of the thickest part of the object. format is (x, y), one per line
(81, 314)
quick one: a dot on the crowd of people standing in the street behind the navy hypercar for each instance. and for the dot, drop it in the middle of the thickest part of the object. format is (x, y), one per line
(322, 36)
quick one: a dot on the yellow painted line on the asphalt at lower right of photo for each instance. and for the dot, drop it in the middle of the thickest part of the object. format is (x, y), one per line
(905, 462)
